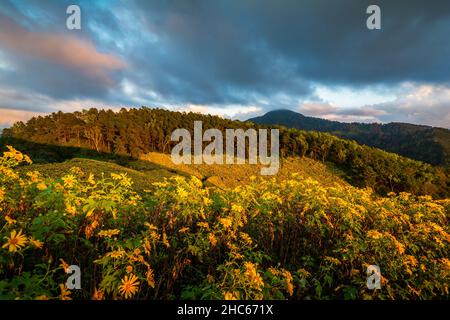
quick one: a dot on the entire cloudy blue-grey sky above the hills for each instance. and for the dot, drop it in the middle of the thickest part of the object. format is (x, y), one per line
(233, 58)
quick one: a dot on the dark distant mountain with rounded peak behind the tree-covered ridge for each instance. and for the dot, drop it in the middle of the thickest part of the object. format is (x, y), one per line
(419, 142)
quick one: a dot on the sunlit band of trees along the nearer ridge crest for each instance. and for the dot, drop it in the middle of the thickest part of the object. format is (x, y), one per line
(137, 131)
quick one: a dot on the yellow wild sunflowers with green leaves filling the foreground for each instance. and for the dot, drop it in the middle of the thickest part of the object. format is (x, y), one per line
(293, 239)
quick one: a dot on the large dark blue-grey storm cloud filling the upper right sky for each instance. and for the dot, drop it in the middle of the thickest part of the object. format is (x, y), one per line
(249, 43)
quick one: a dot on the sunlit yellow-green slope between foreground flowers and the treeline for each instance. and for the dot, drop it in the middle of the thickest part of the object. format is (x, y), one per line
(155, 167)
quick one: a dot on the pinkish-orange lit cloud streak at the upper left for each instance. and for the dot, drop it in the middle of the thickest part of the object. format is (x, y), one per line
(62, 49)
